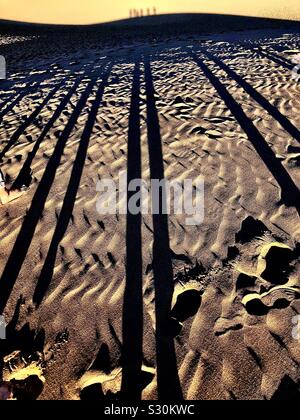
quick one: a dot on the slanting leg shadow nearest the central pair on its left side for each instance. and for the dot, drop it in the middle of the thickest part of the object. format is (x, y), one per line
(70, 196)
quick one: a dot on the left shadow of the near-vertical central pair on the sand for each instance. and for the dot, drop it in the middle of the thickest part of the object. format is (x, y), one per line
(132, 353)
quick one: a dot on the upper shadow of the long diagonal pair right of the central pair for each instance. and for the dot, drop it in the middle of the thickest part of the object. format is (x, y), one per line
(260, 99)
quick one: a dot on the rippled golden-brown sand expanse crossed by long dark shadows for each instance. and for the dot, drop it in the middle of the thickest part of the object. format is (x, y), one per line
(108, 307)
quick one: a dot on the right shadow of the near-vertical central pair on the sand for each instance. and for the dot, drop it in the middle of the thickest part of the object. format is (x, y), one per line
(167, 372)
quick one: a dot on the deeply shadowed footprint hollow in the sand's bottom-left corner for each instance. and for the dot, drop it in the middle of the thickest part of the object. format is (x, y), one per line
(24, 359)
